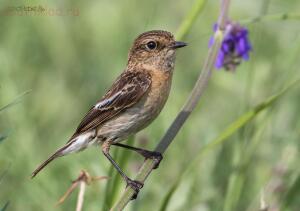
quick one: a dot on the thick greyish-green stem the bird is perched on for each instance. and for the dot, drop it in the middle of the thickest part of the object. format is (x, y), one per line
(189, 106)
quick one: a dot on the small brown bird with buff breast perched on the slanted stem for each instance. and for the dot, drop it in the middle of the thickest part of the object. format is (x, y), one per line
(134, 100)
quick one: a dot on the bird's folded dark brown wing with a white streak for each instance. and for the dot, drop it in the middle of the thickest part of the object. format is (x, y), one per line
(126, 91)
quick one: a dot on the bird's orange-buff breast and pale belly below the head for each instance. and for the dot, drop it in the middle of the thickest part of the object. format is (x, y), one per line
(143, 113)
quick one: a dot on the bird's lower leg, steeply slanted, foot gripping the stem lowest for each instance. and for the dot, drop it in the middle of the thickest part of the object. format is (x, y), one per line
(135, 185)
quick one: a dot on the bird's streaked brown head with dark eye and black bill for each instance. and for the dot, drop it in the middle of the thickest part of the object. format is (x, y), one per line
(154, 49)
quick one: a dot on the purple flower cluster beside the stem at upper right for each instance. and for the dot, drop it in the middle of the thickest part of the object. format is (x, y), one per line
(234, 48)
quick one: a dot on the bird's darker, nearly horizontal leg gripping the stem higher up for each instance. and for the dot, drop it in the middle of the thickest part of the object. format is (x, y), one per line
(153, 155)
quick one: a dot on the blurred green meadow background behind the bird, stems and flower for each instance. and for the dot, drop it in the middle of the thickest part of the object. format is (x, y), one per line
(67, 63)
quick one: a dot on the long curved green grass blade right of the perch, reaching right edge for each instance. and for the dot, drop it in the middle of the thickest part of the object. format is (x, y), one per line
(223, 136)
